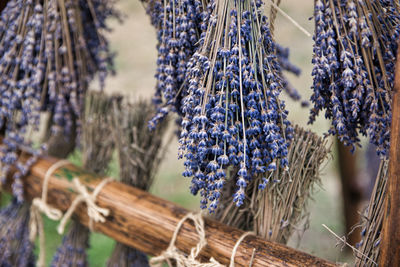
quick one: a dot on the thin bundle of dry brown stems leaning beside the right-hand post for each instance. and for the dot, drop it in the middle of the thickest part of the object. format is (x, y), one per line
(372, 221)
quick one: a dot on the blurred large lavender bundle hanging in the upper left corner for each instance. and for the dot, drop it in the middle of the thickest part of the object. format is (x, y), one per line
(49, 51)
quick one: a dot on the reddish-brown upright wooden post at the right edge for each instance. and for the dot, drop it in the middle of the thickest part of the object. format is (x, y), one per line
(390, 243)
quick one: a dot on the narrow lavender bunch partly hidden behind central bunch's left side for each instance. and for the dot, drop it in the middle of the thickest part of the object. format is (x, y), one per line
(178, 24)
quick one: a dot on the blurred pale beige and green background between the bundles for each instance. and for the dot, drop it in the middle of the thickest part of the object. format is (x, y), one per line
(135, 44)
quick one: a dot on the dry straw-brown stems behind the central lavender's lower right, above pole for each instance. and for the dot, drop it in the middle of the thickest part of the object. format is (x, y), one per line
(277, 211)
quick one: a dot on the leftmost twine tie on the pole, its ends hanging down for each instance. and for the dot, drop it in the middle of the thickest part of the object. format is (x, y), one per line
(39, 205)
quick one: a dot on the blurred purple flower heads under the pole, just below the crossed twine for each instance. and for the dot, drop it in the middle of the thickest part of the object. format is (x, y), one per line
(73, 250)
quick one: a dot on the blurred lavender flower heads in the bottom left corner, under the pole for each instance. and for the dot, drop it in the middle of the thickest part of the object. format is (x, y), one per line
(15, 246)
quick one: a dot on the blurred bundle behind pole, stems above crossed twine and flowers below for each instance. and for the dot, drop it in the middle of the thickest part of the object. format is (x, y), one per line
(97, 149)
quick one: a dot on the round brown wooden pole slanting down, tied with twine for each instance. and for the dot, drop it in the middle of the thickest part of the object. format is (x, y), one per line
(146, 222)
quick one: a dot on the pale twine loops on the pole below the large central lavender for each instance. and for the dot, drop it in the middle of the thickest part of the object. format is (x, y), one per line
(172, 252)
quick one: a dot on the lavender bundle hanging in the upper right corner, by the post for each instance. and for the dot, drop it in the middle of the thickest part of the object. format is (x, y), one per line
(354, 54)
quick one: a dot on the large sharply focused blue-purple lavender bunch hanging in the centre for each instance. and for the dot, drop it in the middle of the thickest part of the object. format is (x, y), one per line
(232, 115)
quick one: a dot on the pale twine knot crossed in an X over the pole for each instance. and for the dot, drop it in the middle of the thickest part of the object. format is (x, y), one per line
(95, 213)
